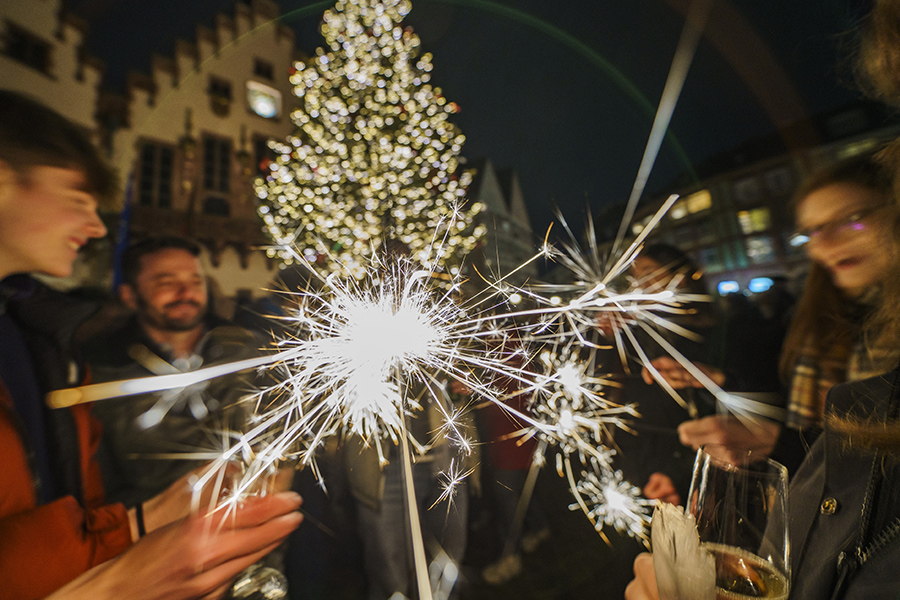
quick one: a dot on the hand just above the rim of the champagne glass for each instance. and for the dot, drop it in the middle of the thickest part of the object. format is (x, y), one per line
(724, 437)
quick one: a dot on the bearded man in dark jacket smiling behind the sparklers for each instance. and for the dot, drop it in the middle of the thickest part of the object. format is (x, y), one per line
(171, 331)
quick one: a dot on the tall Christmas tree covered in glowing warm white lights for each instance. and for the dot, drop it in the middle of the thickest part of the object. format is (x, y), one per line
(374, 156)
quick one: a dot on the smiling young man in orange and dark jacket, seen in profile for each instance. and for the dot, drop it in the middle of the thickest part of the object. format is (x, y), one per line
(58, 537)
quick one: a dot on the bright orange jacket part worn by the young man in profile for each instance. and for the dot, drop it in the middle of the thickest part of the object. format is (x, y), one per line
(44, 547)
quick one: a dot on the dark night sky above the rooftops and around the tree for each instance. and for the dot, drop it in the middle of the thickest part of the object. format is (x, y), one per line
(564, 91)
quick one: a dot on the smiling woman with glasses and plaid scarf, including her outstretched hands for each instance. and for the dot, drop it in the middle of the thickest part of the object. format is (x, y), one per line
(843, 215)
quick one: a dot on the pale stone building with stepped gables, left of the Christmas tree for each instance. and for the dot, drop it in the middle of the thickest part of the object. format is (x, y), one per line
(187, 139)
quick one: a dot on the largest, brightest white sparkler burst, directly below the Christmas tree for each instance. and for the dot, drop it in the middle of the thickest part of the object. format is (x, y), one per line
(367, 354)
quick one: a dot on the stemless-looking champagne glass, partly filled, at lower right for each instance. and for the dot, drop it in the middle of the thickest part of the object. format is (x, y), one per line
(739, 502)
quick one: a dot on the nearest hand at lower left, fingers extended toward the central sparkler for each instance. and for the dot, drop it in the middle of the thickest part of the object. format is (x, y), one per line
(197, 557)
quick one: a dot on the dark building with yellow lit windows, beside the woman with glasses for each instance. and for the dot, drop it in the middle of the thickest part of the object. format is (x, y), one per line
(738, 223)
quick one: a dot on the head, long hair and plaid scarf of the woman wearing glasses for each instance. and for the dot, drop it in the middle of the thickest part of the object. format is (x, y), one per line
(844, 215)
